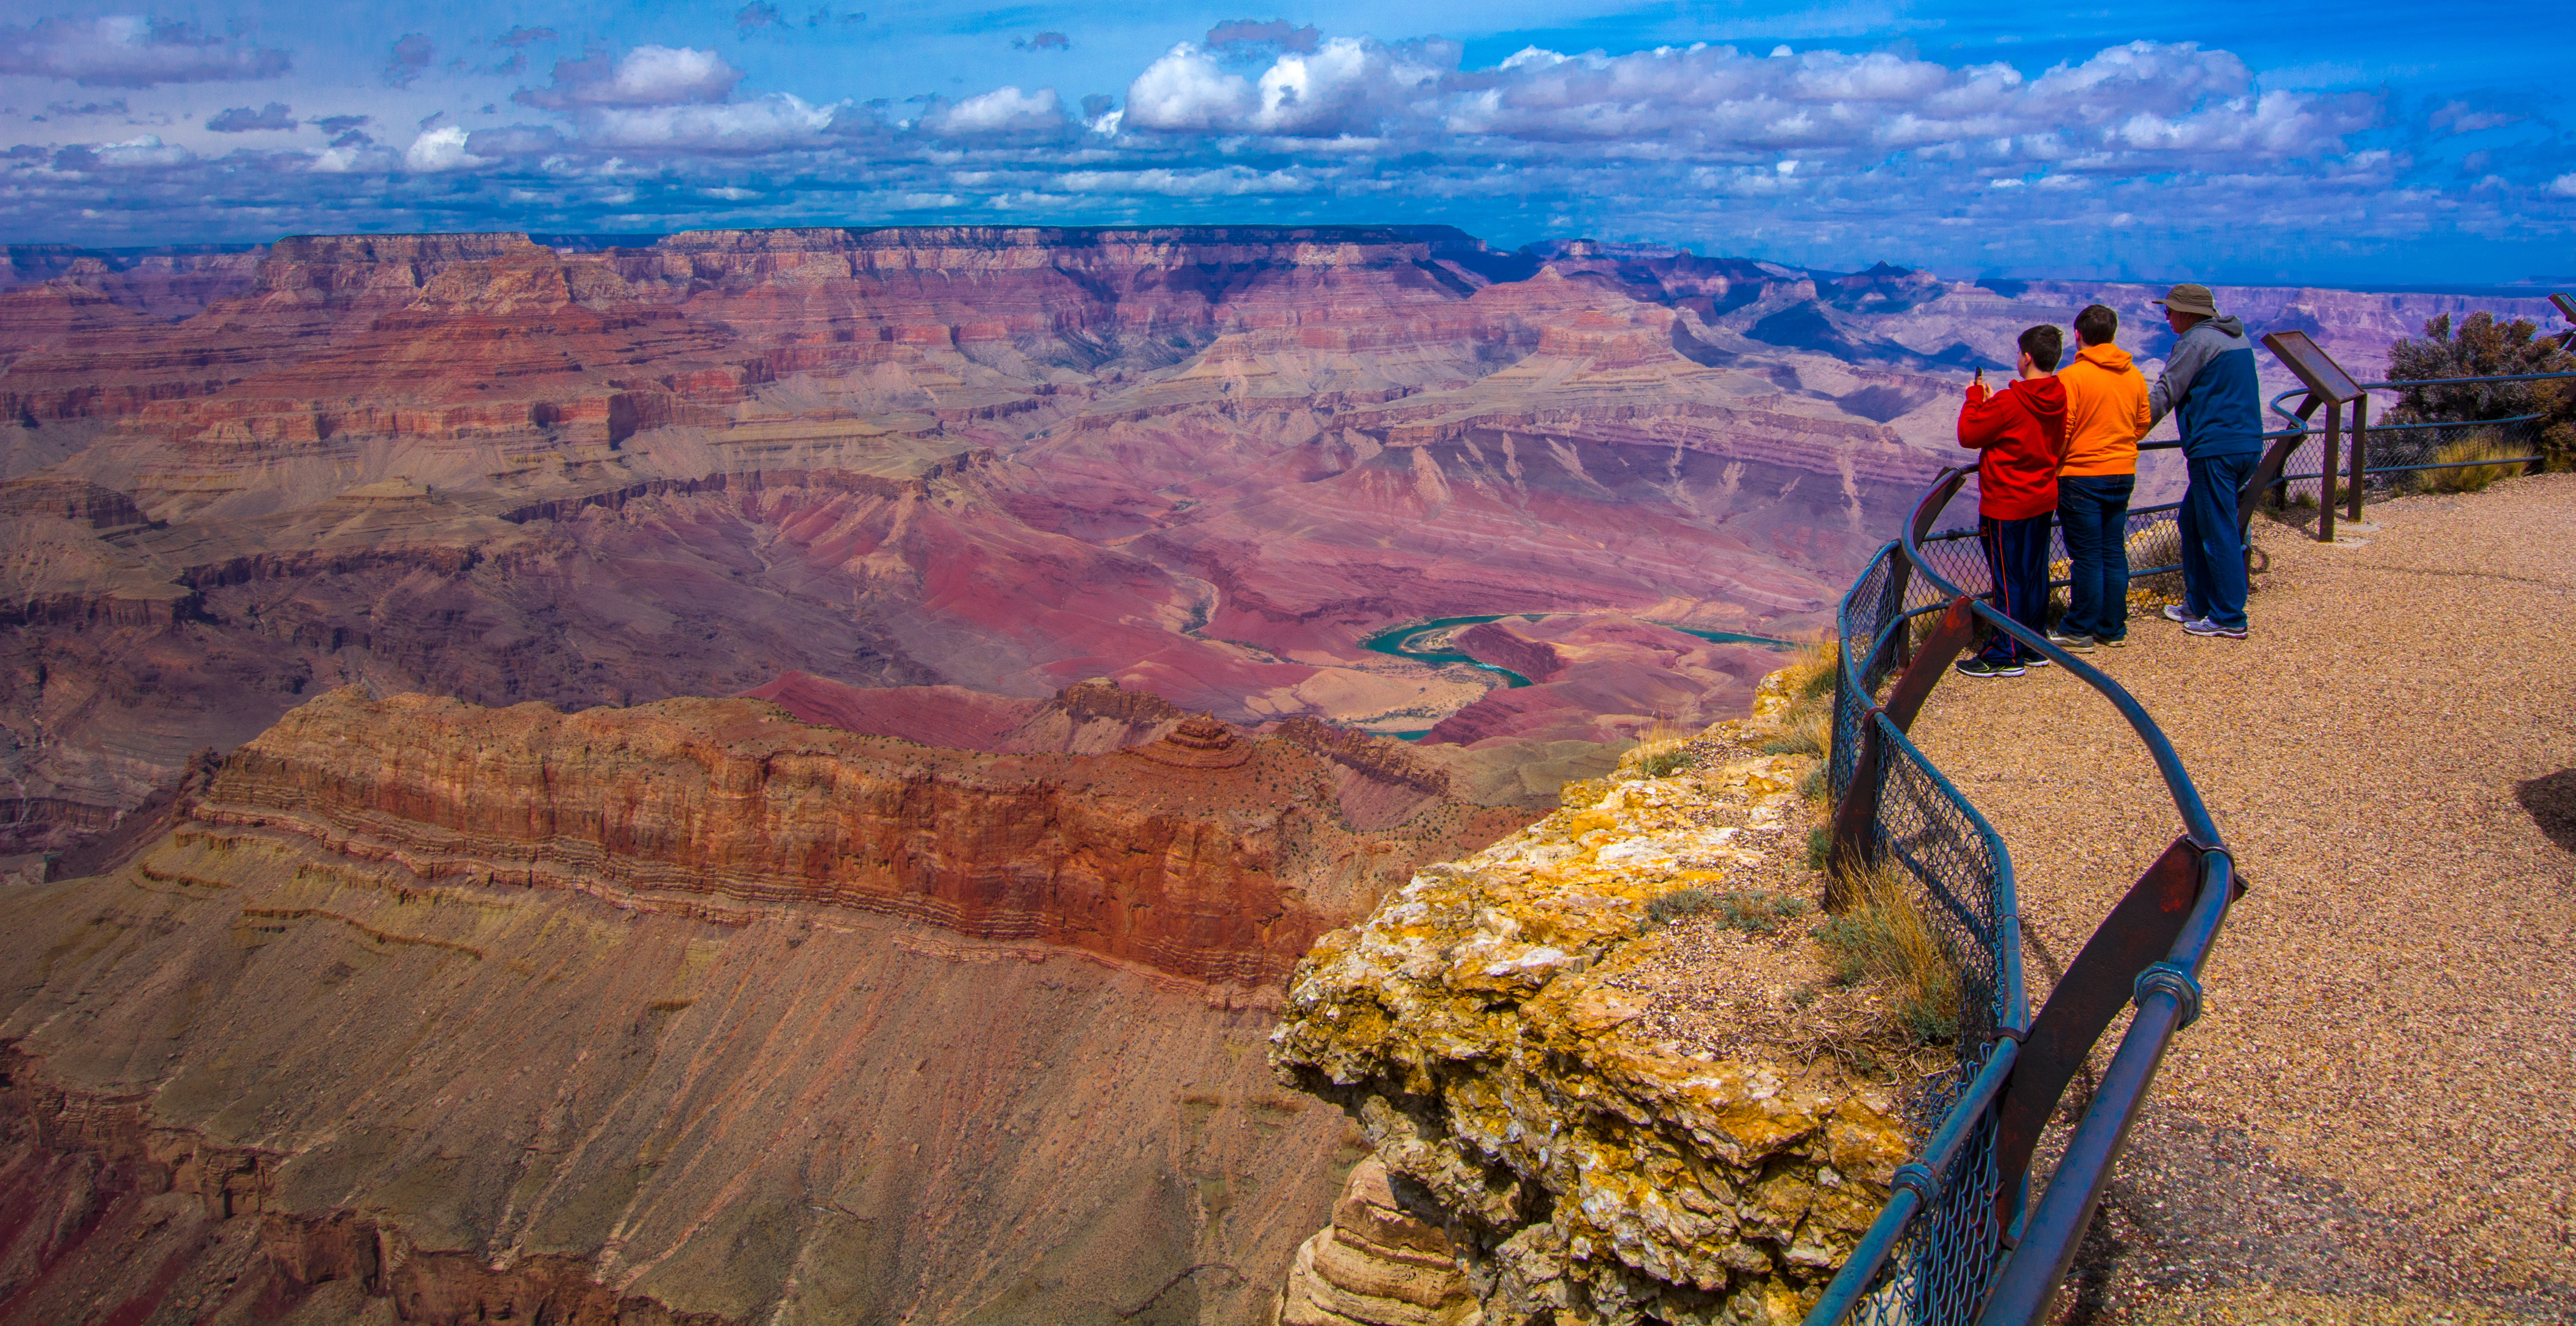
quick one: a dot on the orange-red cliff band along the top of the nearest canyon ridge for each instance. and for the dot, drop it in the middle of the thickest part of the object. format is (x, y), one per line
(1199, 854)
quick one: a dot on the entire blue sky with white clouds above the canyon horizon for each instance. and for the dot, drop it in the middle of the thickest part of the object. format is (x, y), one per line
(2235, 143)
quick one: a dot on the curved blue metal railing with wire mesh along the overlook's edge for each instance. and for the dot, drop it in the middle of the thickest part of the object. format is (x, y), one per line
(1962, 1240)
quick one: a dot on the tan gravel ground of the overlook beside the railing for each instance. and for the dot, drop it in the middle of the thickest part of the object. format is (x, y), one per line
(2376, 1119)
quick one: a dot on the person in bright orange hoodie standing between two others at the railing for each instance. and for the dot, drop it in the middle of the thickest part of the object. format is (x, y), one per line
(2106, 416)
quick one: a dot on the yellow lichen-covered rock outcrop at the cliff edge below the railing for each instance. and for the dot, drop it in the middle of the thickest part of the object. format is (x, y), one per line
(1477, 1031)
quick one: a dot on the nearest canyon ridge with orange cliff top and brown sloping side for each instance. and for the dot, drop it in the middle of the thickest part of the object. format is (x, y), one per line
(689, 1013)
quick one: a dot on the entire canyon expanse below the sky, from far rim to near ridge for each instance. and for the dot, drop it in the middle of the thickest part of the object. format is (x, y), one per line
(779, 776)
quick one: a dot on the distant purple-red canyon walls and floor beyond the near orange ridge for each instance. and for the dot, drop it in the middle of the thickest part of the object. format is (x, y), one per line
(1197, 462)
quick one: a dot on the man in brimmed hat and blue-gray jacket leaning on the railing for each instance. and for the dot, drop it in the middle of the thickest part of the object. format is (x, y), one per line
(2209, 385)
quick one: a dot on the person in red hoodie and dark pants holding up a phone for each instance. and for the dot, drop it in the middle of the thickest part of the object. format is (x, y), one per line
(2023, 439)
